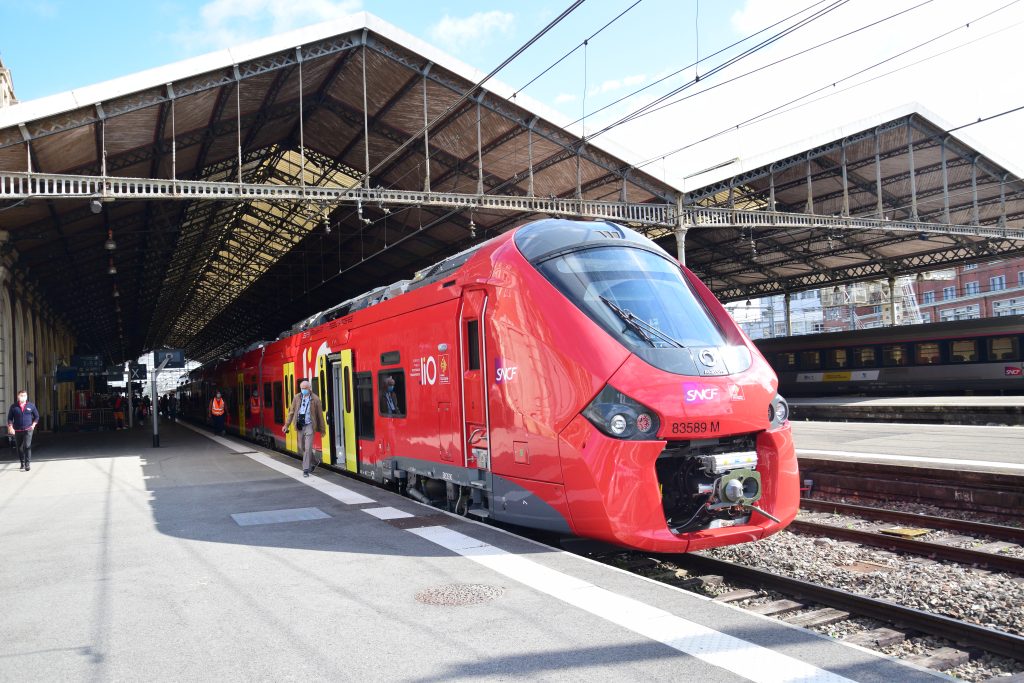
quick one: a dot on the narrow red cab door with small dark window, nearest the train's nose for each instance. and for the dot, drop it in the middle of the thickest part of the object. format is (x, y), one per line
(477, 426)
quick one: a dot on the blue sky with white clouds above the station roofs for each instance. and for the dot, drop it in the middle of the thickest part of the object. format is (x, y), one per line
(956, 60)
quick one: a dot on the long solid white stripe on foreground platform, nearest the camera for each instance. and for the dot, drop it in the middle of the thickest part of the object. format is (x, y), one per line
(734, 655)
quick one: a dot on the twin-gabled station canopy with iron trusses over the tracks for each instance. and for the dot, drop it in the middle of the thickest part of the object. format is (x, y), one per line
(211, 274)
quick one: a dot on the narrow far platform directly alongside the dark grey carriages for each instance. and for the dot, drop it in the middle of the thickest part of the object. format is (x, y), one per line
(924, 410)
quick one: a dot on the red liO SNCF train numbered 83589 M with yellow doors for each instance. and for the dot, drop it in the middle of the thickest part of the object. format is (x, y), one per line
(565, 376)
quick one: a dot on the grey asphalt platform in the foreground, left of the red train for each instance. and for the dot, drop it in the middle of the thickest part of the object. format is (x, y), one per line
(211, 560)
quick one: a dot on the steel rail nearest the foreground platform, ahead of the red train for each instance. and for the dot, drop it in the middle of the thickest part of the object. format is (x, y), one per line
(987, 638)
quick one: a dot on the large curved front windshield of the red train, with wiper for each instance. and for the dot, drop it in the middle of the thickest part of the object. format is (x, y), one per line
(638, 297)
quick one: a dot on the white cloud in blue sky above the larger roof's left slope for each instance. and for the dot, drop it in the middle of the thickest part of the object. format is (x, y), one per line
(227, 23)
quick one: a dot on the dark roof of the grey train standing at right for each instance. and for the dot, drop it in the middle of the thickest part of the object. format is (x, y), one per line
(987, 326)
